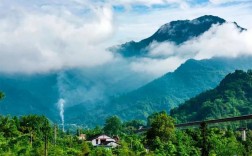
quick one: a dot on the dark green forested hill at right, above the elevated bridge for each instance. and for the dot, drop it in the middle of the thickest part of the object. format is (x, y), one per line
(232, 97)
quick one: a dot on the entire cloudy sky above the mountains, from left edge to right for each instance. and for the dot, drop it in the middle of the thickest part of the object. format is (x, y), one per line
(46, 35)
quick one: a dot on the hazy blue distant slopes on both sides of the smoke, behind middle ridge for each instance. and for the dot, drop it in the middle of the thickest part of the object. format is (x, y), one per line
(40, 93)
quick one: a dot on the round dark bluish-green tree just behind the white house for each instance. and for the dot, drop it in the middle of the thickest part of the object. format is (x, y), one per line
(113, 125)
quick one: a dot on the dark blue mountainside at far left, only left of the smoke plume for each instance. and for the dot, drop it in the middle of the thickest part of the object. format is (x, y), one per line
(26, 94)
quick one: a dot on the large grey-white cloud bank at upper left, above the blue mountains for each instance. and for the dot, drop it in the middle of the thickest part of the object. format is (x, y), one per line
(39, 42)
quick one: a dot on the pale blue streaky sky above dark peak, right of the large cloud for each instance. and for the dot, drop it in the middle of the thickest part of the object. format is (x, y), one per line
(148, 17)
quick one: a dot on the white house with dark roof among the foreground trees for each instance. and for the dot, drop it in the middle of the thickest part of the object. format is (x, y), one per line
(104, 141)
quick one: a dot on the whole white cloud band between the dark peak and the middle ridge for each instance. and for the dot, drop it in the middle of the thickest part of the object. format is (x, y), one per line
(219, 41)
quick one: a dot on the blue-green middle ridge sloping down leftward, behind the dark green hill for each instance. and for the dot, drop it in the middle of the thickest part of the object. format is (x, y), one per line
(166, 92)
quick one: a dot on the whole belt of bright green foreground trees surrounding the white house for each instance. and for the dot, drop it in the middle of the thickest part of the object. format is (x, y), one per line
(35, 135)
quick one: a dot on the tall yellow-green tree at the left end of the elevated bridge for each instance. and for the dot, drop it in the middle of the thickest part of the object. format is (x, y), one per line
(161, 131)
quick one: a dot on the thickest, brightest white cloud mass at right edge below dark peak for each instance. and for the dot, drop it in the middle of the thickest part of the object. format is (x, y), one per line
(220, 41)
